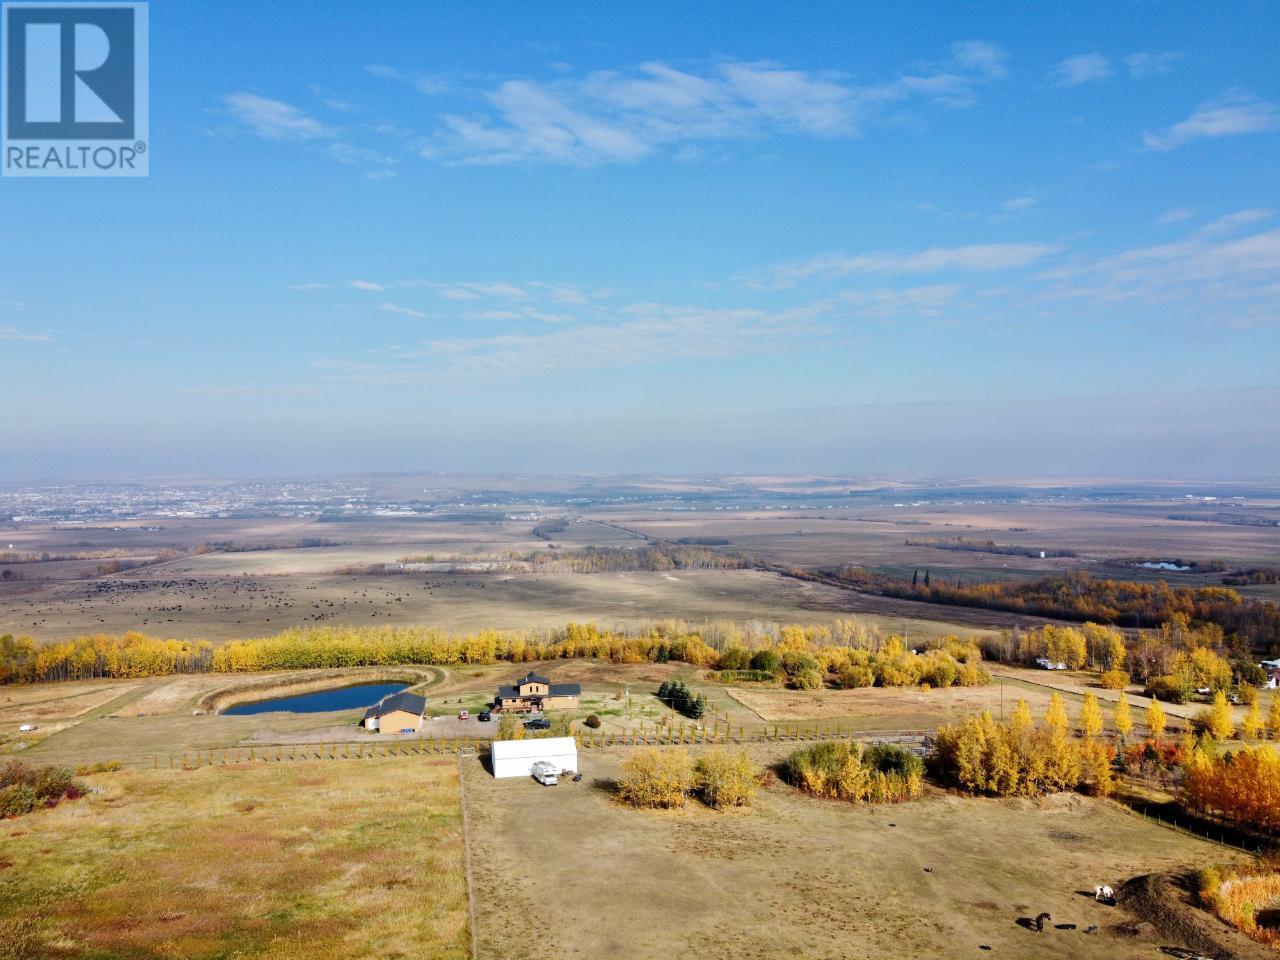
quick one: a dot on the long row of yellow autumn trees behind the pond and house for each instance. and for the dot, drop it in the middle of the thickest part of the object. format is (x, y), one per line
(844, 653)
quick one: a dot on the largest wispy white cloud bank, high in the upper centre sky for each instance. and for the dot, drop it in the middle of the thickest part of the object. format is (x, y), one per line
(627, 116)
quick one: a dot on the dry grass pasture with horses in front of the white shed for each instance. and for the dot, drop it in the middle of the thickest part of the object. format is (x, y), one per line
(802, 877)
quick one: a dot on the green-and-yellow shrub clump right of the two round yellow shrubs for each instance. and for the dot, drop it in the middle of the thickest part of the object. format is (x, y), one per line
(848, 771)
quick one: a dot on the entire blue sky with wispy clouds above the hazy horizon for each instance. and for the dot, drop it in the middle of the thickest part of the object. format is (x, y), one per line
(720, 237)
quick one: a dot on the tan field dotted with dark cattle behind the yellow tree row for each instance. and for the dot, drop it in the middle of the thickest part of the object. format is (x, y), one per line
(226, 609)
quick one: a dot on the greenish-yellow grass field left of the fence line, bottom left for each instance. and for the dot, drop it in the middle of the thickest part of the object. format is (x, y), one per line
(321, 860)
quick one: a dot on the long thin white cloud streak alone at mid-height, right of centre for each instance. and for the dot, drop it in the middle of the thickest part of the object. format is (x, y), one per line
(976, 258)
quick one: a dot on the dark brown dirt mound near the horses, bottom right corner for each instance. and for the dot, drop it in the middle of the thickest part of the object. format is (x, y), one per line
(1167, 902)
